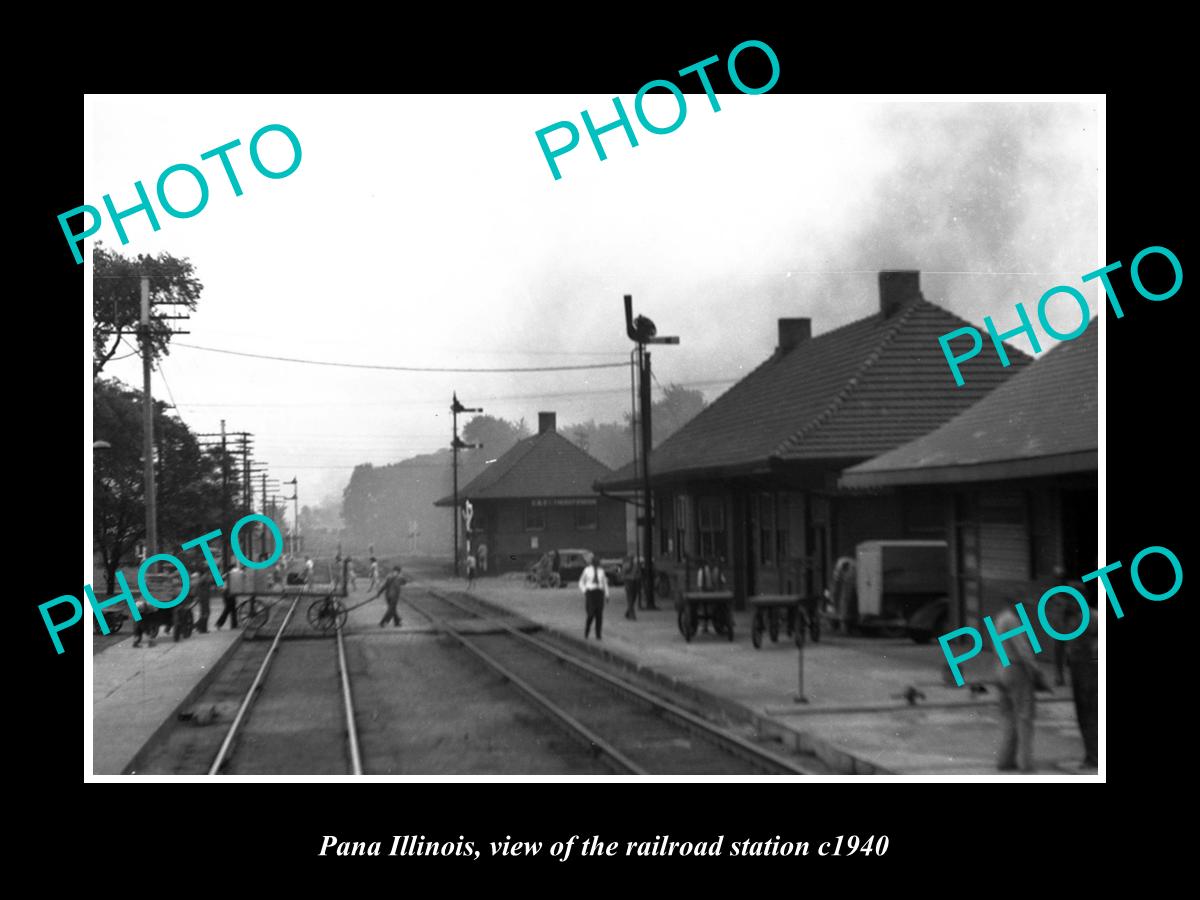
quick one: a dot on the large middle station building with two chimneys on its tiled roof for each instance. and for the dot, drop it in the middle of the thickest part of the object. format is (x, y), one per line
(753, 479)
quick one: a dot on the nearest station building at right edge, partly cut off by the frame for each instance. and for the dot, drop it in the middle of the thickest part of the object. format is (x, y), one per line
(1017, 482)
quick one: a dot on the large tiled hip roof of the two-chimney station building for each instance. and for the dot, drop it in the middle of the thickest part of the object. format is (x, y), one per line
(850, 394)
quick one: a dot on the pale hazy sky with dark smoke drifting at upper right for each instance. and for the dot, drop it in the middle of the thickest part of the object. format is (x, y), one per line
(429, 232)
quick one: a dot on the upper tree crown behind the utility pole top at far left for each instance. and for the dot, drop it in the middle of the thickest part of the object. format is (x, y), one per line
(117, 299)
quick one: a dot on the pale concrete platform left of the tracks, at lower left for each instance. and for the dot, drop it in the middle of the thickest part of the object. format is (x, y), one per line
(136, 691)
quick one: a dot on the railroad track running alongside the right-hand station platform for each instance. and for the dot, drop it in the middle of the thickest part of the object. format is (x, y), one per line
(632, 730)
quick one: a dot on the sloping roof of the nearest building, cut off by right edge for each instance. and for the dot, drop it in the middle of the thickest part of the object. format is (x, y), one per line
(1043, 422)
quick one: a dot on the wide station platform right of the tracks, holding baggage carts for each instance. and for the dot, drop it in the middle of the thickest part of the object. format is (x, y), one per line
(857, 719)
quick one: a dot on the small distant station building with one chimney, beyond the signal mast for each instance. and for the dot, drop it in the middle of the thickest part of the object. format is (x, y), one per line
(539, 497)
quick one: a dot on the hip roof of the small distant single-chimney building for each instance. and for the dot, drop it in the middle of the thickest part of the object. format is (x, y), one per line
(547, 465)
